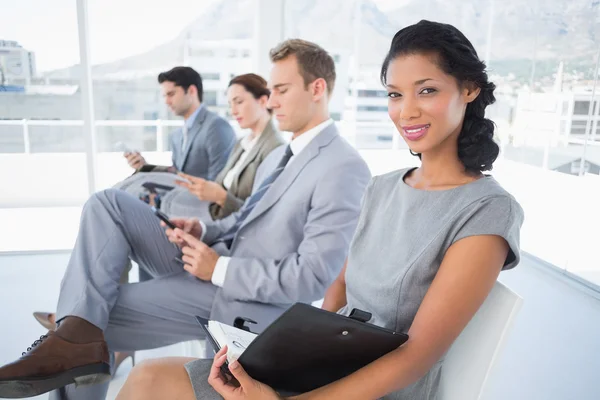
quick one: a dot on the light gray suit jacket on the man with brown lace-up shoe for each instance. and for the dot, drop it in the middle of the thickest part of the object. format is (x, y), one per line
(294, 243)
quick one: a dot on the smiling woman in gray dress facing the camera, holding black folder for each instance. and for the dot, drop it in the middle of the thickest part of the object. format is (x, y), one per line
(429, 244)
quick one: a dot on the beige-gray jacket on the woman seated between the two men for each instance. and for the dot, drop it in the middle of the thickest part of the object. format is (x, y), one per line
(241, 187)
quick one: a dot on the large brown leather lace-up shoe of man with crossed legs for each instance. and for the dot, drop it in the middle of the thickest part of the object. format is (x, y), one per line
(53, 362)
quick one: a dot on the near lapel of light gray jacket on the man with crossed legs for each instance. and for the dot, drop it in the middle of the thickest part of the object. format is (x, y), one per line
(291, 172)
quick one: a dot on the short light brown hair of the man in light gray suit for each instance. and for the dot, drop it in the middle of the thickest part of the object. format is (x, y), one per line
(313, 61)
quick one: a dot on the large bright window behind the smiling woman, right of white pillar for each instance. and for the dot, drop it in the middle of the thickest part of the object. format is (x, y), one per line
(542, 58)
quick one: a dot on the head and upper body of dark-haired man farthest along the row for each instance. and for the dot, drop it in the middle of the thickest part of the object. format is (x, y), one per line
(201, 148)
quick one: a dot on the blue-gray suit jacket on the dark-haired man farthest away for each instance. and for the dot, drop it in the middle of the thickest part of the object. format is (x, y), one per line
(210, 141)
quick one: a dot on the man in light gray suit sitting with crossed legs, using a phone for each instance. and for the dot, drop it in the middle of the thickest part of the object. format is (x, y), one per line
(286, 245)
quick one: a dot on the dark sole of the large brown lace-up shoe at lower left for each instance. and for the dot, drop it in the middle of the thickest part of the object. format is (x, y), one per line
(80, 376)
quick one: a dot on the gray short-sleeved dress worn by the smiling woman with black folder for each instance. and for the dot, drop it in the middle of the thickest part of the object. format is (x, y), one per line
(399, 243)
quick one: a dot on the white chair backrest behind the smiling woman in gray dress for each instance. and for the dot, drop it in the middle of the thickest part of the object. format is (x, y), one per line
(468, 362)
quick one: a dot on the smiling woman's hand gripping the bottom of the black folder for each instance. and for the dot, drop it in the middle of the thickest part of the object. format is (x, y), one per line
(249, 388)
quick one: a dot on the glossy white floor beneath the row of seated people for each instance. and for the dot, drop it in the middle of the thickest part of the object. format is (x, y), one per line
(551, 353)
